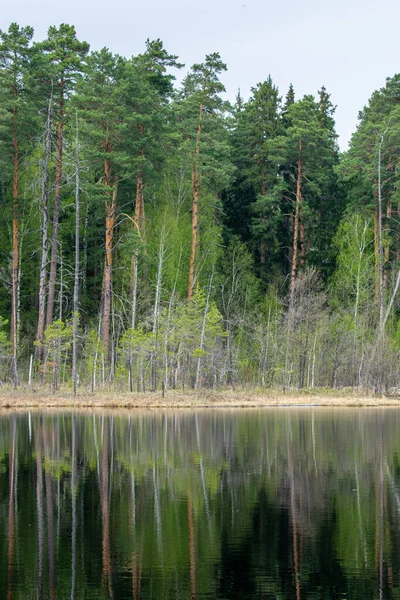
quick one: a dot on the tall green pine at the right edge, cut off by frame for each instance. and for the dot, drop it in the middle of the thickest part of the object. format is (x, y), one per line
(370, 173)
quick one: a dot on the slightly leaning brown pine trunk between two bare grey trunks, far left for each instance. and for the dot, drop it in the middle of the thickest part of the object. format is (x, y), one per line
(56, 210)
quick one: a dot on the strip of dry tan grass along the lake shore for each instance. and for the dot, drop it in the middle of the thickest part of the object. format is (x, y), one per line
(174, 399)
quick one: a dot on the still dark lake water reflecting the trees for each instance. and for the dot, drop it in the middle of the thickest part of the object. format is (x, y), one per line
(262, 504)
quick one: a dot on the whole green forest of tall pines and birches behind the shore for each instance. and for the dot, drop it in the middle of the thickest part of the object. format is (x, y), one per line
(156, 236)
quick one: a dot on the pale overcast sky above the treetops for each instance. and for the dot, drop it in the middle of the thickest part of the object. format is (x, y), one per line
(350, 46)
